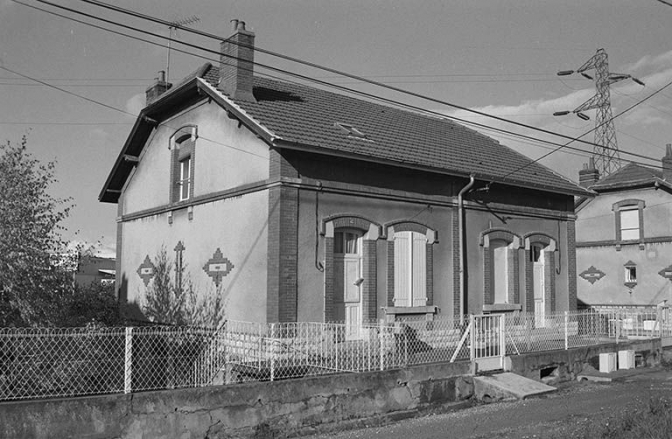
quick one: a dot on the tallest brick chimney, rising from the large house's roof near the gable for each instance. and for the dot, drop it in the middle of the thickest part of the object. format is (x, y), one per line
(237, 63)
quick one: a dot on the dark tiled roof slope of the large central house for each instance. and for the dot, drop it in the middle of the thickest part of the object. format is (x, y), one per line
(307, 116)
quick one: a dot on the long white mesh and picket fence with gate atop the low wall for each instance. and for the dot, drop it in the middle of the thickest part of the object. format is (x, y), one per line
(36, 363)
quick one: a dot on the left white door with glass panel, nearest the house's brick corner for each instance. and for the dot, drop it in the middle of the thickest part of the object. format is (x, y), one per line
(348, 280)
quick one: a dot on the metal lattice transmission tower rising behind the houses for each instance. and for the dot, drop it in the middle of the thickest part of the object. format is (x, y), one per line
(605, 151)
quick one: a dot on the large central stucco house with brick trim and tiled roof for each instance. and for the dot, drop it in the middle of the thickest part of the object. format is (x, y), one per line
(298, 204)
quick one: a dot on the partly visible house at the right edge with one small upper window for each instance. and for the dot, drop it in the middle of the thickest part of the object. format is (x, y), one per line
(624, 237)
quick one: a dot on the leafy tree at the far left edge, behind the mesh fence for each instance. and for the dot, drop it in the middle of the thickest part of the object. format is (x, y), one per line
(33, 275)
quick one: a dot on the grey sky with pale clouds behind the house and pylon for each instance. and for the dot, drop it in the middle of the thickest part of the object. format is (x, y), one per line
(75, 89)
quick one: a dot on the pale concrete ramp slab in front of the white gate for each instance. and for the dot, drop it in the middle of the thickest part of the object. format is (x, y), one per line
(508, 385)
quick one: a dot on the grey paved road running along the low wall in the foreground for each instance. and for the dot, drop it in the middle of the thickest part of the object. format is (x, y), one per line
(562, 414)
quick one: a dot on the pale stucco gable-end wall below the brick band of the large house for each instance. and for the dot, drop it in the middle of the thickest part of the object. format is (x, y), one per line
(237, 226)
